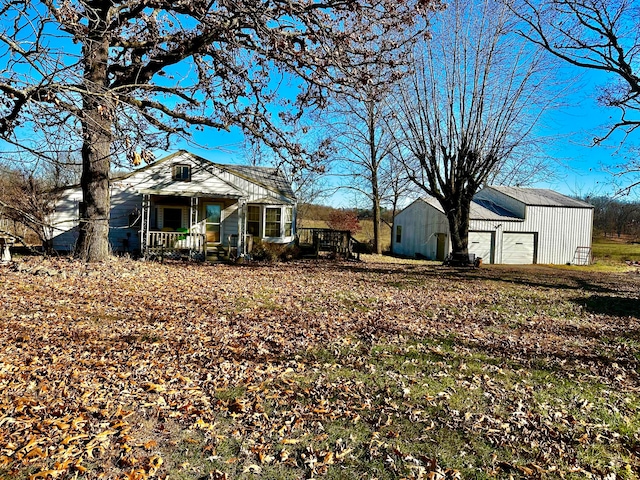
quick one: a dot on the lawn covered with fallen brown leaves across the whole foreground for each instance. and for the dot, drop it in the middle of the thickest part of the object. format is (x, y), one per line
(336, 370)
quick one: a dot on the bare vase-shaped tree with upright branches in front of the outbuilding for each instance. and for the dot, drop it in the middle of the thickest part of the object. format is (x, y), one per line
(471, 104)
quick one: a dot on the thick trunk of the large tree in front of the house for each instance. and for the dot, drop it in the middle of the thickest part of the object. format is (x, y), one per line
(93, 240)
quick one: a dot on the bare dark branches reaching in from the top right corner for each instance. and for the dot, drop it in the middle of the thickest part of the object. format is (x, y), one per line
(602, 36)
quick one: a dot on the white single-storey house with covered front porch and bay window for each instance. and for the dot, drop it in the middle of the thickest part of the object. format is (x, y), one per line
(183, 205)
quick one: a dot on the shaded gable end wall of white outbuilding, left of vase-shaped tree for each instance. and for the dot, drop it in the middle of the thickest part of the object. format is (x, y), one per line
(420, 224)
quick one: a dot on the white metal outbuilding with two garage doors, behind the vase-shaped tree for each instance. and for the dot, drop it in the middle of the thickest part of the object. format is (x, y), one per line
(508, 225)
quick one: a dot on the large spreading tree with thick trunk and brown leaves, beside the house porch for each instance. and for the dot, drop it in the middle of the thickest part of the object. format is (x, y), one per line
(114, 72)
